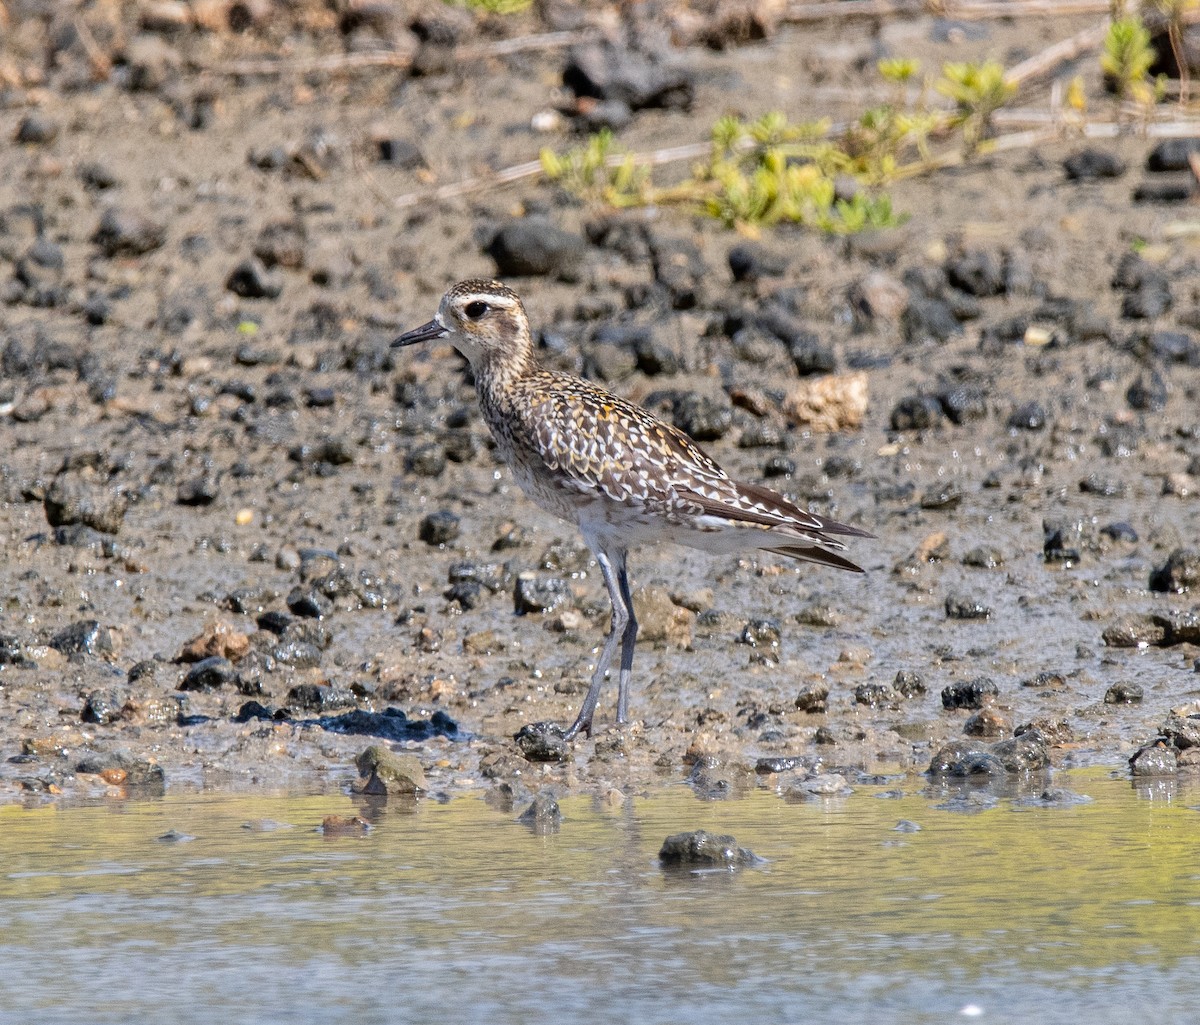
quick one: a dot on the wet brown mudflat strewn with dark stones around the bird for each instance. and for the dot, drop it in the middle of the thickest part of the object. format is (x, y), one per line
(233, 517)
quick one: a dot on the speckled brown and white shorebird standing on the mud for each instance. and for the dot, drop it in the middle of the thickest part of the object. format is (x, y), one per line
(615, 470)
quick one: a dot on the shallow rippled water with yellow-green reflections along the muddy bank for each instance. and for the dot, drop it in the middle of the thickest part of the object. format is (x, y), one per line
(455, 913)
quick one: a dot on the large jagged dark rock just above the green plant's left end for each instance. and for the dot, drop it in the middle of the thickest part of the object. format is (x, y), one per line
(610, 71)
